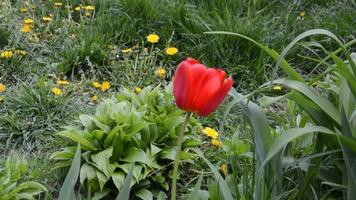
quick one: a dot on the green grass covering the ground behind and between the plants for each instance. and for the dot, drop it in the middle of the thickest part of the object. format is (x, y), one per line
(83, 49)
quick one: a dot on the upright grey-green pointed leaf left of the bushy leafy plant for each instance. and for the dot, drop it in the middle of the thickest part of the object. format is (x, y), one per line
(67, 190)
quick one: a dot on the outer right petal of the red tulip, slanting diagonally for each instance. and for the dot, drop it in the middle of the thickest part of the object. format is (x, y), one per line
(217, 98)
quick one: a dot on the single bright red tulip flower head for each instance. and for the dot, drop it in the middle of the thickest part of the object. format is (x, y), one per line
(199, 89)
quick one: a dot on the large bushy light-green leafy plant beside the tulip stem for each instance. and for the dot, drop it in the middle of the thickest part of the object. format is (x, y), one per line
(133, 128)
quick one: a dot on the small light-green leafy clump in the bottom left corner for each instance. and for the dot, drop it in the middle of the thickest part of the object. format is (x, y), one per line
(12, 182)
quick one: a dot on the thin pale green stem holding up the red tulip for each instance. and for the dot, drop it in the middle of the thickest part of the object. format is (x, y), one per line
(176, 160)
